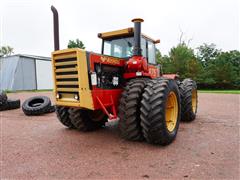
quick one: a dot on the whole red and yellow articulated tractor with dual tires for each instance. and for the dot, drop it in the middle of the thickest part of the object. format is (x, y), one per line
(123, 82)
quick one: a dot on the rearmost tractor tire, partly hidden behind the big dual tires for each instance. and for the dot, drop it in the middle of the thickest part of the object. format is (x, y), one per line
(189, 100)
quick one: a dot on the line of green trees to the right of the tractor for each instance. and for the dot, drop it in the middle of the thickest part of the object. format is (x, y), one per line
(210, 67)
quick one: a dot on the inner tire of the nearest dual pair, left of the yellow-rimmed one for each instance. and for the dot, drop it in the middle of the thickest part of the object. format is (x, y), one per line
(129, 110)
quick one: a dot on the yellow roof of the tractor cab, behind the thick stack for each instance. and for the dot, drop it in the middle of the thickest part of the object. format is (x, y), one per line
(123, 33)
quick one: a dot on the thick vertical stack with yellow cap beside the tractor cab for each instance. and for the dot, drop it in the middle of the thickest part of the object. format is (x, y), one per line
(137, 51)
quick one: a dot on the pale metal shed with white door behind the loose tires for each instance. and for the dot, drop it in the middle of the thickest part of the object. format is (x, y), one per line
(25, 72)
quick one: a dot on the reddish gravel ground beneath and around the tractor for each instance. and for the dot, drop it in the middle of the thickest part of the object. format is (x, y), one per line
(41, 148)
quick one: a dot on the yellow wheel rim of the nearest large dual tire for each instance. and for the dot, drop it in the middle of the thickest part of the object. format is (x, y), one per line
(171, 111)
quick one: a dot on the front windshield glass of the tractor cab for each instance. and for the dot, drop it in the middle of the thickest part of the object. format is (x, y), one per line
(122, 47)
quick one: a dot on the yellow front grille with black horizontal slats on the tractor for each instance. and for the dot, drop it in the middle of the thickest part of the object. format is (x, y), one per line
(71, 83)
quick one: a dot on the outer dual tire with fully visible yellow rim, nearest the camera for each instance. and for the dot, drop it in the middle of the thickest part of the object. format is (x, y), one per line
(160, 111)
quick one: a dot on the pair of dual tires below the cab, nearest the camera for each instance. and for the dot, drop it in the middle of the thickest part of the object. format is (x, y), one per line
(150, 109)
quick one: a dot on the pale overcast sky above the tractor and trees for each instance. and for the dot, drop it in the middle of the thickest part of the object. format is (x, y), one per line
(26, 25)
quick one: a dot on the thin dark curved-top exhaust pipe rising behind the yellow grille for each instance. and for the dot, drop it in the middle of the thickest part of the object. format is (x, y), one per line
(55, 28)
